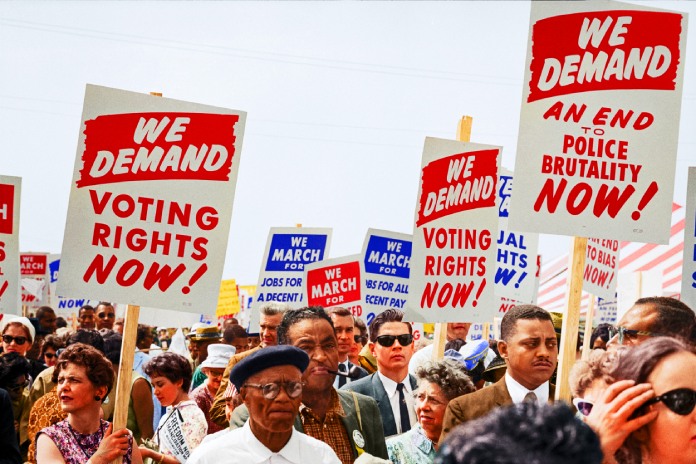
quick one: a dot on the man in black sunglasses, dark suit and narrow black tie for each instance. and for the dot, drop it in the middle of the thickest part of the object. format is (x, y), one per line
(391, 343)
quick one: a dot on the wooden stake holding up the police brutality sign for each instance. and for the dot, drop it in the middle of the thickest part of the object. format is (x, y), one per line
(571, 318)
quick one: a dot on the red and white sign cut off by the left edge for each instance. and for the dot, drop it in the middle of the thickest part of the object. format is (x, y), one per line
(10, 190)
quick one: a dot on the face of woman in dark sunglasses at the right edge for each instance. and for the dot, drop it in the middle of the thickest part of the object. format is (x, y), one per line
(672, 438)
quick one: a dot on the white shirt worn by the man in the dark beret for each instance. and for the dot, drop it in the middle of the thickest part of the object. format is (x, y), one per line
(240, 446)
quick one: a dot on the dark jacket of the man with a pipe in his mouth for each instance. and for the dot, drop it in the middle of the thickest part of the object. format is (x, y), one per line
(364, 418)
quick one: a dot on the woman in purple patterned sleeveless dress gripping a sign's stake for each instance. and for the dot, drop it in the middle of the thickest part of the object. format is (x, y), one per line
(84, 378)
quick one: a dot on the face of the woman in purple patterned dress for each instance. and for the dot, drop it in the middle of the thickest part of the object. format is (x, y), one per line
(75, 391)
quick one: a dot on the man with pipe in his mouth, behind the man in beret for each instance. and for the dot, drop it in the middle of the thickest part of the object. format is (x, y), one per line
(348, 422)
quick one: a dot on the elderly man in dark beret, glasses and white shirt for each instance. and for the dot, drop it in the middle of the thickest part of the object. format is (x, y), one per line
(270, 384)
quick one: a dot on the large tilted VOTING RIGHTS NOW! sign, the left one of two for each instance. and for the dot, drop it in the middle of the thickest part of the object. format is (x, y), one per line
(151, 201)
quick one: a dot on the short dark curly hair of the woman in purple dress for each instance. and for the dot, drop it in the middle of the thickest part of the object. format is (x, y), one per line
(99, 370)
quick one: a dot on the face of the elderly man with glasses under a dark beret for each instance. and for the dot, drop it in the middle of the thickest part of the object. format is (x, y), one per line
(278, 414)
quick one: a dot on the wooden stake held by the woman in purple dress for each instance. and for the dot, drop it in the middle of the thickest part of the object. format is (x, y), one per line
(125, 369)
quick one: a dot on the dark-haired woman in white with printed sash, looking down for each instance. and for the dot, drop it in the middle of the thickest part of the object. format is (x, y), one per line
(170, 374)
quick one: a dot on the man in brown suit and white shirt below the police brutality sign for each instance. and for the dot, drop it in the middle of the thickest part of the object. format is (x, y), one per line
(530, 349)
